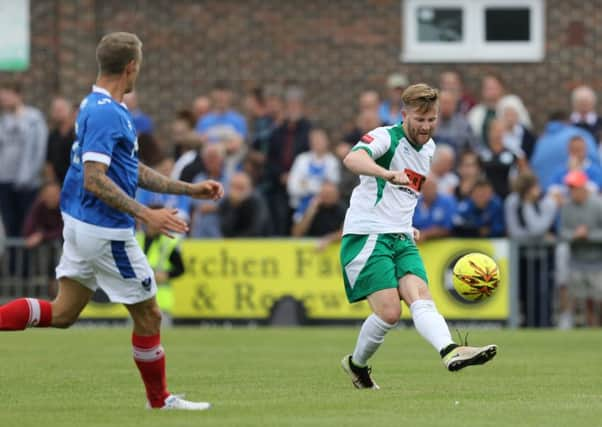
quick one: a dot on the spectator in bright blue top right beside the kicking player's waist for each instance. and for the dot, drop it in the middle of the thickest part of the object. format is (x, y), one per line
(434, 211)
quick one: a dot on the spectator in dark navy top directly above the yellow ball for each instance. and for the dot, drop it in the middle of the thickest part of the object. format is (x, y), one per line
(482, 215)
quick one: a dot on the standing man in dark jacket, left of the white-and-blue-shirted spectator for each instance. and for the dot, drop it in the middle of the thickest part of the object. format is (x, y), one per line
(287, 141)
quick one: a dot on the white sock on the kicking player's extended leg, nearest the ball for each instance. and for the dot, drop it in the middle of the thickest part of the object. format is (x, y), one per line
(430, 324)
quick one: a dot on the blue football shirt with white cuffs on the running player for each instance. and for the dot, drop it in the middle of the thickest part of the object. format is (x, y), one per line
(105, 134)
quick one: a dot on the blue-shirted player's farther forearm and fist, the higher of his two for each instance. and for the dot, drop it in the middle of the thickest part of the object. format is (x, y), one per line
(154, 181)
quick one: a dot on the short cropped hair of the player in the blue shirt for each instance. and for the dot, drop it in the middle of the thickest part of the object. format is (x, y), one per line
(116, 50)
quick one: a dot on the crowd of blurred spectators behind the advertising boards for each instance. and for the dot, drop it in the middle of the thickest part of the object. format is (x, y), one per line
(493, 174)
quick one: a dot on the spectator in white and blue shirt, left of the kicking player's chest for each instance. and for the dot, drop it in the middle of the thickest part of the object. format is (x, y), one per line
(310, 170)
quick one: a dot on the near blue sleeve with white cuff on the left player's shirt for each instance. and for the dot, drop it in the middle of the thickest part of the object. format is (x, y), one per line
(103, 131)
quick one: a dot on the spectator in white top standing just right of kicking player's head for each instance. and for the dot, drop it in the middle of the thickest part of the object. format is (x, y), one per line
(479, 117)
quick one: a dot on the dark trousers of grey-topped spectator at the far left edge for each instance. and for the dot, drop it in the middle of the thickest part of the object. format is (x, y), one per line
(14, 206)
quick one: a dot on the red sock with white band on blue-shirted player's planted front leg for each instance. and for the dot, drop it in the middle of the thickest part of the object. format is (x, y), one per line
(150, 360)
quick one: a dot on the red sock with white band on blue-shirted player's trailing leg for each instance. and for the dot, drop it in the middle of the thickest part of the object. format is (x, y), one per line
(25, 312)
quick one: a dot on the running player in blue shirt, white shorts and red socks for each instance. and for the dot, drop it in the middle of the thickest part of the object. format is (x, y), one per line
(99, 211)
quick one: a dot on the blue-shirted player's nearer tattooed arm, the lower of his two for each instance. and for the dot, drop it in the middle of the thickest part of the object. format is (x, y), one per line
(98, 183)
